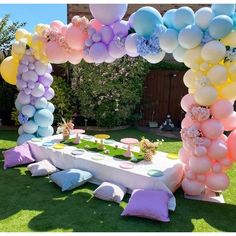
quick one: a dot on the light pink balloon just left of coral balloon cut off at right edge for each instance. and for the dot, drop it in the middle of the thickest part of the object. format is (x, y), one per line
(217, 150)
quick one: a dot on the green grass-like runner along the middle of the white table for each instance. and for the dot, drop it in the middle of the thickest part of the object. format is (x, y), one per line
(113, 152)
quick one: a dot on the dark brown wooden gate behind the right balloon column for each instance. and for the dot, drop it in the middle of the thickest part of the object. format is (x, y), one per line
(162, 95)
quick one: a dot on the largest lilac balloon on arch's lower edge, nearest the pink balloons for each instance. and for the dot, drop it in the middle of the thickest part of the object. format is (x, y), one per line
(98, 52)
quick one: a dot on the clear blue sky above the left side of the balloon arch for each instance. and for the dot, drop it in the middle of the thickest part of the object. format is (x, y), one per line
(34, 14)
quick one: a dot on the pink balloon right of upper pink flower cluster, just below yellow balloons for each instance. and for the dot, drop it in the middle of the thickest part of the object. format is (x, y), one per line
(222, 109)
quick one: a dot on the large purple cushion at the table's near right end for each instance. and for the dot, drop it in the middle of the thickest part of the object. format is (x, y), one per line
(151, 204)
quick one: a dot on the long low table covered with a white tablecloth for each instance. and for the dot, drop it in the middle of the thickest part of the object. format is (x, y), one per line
(109, 168)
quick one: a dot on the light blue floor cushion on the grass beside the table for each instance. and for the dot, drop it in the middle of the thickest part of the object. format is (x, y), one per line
(71, 178)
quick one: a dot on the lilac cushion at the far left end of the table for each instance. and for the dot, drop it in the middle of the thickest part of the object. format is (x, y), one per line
(18, 155)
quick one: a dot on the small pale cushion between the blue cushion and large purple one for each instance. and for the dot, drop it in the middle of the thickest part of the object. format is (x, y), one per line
(110, 192)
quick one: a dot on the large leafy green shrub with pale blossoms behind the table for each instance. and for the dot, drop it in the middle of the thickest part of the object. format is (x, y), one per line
(109, 93)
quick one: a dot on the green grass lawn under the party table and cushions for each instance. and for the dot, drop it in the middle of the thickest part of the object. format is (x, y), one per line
(35, 204)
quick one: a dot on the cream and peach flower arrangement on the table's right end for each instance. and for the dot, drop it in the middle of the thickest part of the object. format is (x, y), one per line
(149, 148)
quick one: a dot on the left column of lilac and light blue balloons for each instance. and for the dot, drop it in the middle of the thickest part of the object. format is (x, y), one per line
(35, 112)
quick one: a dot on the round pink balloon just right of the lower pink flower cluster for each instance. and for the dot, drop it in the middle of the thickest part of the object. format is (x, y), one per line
(212, 128)
